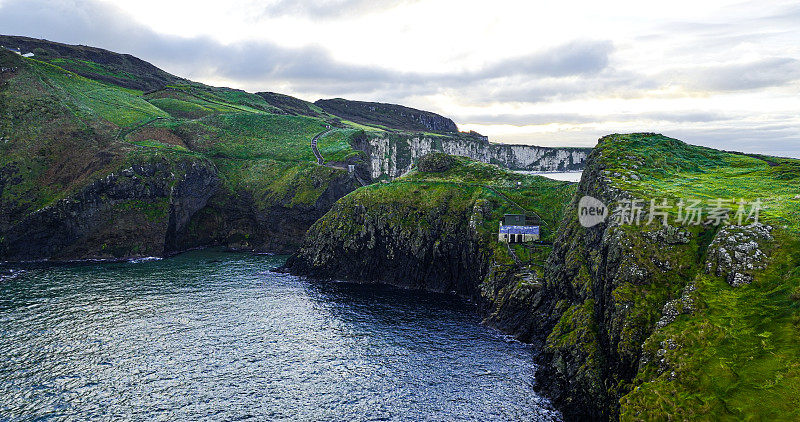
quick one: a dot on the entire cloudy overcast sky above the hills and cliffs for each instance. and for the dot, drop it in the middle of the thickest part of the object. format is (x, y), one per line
(720, 73)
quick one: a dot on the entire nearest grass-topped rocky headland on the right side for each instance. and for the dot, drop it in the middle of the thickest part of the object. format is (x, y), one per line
(645, 321)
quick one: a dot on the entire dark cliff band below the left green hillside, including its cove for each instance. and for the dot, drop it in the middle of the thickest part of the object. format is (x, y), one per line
(159, 207)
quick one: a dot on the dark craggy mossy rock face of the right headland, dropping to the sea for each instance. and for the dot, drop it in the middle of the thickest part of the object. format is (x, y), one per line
(594, 319)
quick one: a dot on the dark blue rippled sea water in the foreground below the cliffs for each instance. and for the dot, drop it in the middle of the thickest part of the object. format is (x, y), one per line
(217, 336)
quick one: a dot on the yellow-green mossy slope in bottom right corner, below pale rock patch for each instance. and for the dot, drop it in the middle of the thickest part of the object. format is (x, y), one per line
(737, 357)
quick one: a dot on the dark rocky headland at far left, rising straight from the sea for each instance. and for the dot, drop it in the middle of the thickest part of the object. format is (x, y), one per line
(142, 210)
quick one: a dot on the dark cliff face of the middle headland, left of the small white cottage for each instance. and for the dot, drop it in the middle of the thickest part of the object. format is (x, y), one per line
(384, 247)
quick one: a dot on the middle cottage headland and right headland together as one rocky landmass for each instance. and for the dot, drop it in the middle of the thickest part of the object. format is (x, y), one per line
(635, 321)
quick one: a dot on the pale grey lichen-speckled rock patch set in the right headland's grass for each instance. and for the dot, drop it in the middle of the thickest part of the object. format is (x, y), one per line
(737, 252)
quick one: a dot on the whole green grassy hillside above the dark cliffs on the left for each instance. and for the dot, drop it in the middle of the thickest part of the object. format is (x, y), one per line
(69, 121)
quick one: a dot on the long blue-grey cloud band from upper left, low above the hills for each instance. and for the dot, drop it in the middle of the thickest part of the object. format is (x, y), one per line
(262, 65)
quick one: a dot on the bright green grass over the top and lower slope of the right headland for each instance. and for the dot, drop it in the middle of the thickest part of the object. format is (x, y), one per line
(738, 355)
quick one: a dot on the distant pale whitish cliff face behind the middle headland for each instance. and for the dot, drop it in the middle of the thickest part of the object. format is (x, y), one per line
(394, 155)
